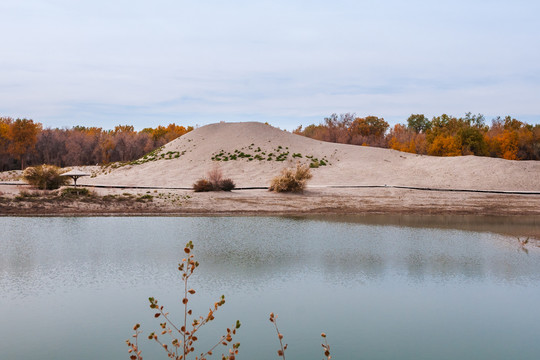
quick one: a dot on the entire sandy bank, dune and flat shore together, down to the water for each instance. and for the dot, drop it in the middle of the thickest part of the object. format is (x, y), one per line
(181, 162)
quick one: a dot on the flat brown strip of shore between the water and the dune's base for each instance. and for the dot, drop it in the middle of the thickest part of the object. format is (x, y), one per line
(314, 201)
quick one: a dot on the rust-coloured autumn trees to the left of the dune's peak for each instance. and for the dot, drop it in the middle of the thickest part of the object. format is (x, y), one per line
(24, 142)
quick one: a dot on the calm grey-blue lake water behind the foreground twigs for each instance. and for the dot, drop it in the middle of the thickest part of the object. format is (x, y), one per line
(380, 287)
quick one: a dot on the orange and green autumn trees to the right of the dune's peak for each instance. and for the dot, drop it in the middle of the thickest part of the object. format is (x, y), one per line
(444, 135)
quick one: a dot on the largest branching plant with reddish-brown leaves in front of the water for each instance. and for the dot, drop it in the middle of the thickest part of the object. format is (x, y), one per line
(184, 336)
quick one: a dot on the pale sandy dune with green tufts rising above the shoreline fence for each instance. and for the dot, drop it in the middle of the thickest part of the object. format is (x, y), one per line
(252, 153)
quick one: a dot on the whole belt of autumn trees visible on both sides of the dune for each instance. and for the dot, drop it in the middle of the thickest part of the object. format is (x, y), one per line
(24, 142)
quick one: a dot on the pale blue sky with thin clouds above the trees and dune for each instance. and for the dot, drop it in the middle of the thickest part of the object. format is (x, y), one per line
(194, 62)
